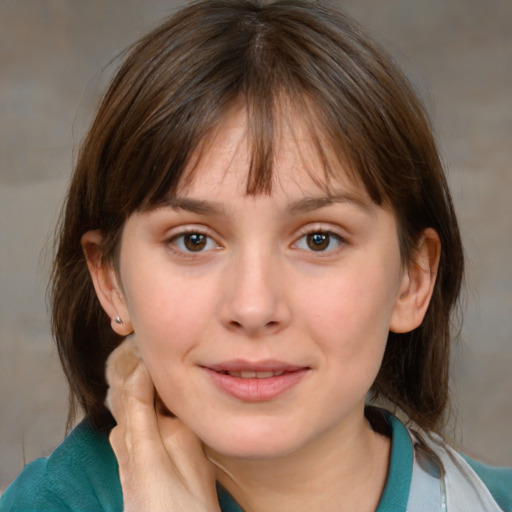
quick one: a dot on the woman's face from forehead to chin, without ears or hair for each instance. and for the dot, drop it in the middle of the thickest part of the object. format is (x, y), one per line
(262, 319)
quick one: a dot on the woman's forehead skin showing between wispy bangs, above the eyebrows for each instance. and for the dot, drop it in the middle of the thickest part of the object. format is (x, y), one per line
(302, 163)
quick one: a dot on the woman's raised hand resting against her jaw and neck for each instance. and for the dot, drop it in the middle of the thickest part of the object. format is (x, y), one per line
(162, 465)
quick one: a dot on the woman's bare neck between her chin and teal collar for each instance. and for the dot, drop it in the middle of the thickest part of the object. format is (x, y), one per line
(344, 469)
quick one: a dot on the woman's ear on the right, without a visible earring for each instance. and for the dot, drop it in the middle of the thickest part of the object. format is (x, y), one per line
(417, 284)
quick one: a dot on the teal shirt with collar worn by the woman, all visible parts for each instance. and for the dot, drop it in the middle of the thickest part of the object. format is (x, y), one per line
(82, 475)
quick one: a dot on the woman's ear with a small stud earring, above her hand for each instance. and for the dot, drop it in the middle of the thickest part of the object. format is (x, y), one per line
(106, 283)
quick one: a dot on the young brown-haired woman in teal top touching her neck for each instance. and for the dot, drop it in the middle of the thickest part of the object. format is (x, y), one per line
(260, 223)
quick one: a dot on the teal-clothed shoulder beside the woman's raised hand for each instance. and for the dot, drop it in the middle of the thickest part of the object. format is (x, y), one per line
(81, 474)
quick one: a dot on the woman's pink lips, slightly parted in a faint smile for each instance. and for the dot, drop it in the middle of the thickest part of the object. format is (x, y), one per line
(255, 381)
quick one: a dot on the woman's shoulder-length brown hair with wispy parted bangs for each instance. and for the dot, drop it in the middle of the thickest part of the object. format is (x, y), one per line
(175, 86)
